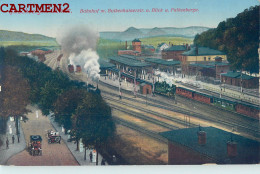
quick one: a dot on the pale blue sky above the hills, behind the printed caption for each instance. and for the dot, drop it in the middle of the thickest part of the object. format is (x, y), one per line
(209, 14)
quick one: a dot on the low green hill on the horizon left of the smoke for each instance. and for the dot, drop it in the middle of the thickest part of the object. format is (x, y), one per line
(6, 35)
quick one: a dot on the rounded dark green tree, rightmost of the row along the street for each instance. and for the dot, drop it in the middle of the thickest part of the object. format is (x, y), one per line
(93, 122)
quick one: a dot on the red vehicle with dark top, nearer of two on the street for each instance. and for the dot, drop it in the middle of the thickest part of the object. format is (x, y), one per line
(35, 145)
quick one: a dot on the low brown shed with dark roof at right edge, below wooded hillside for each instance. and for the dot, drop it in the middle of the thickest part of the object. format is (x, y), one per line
(238, 78)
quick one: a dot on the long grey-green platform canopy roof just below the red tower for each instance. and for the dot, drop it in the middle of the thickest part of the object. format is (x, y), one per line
(129, 62)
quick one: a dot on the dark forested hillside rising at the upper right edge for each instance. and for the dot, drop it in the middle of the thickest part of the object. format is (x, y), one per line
(238, 37)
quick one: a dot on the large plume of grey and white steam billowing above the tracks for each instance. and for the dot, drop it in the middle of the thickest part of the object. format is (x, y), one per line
(79, 43)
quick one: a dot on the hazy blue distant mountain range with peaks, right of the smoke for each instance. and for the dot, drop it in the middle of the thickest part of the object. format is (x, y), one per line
(132, 32)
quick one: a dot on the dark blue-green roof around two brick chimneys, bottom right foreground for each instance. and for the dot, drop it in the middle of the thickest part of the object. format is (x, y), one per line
(216, 144)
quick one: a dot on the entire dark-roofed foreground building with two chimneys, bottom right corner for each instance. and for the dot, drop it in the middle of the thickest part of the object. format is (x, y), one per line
(202, 145)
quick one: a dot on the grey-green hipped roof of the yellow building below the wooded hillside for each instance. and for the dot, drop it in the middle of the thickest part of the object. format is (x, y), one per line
(202, 51)
